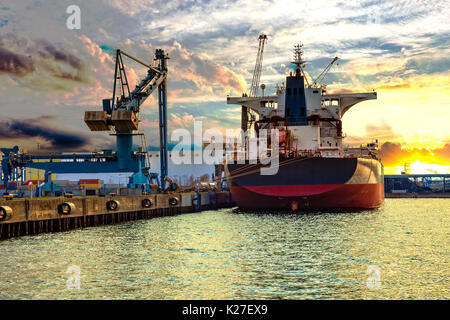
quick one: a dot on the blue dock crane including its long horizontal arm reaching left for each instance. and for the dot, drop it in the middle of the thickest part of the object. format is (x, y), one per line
(120, 117)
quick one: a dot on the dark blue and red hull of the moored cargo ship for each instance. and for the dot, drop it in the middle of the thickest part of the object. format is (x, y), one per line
(314, 183)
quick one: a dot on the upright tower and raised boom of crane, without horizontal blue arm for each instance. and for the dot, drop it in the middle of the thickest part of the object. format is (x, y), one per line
(120, 114)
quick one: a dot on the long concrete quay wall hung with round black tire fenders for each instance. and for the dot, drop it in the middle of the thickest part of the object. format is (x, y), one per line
(20, 217)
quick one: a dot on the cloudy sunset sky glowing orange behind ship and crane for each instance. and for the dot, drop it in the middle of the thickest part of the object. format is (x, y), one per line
(50, 75)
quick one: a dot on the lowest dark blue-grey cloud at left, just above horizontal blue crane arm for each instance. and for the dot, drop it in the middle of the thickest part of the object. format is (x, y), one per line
(38, 128)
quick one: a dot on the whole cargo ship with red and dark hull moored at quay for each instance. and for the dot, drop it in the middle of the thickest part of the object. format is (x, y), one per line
(315, 171)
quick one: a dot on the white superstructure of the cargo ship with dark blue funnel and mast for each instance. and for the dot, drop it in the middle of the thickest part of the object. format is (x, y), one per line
(313, 117)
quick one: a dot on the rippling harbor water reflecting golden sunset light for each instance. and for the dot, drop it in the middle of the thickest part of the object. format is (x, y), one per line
(399, 251)
